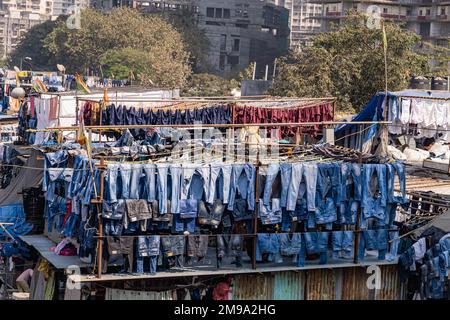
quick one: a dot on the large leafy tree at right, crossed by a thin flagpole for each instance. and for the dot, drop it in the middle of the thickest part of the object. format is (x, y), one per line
(348, 62)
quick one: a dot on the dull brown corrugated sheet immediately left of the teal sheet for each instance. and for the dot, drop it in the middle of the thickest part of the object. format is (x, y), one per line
(253, 287)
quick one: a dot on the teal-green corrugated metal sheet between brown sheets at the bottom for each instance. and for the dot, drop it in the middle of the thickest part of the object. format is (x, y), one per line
(289, 286)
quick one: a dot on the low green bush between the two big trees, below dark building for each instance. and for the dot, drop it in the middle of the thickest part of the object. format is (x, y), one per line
(205, 84)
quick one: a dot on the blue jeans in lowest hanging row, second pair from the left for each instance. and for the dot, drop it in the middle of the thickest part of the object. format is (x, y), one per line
(147, 247)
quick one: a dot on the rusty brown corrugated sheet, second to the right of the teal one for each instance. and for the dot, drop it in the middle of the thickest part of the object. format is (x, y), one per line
(354, 285)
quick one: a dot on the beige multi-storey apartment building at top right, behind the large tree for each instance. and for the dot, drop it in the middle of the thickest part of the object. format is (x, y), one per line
(428, 18)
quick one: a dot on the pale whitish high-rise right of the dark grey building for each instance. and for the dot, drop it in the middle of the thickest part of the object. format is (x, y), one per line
(302, 21)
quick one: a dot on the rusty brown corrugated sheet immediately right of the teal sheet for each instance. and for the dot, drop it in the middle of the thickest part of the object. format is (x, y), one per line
(320, 284)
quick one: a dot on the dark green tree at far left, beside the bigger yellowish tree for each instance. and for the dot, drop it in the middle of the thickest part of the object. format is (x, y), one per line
(31, 44)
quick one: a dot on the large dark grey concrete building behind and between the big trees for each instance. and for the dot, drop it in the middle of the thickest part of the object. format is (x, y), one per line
(239, 31)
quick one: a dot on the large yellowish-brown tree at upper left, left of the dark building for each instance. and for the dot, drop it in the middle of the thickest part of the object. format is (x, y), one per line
(149, 40)
